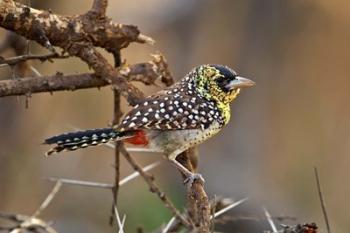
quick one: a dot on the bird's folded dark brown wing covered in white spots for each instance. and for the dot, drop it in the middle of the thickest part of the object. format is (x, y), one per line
(171, 112)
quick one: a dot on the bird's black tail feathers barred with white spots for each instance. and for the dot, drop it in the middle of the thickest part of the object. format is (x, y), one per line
(81, 139)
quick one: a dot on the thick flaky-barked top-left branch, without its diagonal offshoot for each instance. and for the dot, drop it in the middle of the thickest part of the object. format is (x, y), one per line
(62, 31)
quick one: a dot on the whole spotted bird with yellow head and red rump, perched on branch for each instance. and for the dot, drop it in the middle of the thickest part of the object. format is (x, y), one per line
(172, 120)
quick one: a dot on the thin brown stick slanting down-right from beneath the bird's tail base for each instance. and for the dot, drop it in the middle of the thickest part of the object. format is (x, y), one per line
(154, 187)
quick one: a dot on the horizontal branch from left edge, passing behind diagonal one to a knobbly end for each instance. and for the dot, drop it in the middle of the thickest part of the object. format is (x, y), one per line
(147, 73)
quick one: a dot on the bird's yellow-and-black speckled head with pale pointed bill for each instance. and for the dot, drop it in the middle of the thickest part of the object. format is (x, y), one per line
(219, 83)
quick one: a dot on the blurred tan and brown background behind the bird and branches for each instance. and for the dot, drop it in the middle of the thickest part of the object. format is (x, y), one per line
(295, 118)
